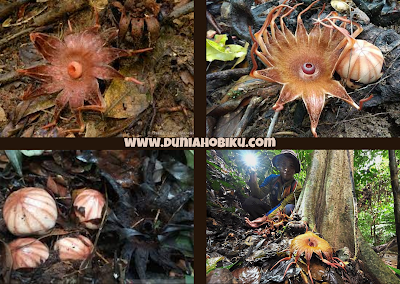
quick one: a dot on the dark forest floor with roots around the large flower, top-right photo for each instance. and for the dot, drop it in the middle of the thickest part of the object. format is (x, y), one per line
(239, 105)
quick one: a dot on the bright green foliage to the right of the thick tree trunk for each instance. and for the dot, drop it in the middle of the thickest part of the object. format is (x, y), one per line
(374, 195)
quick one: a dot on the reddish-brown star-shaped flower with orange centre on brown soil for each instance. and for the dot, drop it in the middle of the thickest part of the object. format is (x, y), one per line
(75, 65)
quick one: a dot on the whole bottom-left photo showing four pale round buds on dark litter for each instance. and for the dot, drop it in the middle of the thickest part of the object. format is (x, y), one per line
(107, 216)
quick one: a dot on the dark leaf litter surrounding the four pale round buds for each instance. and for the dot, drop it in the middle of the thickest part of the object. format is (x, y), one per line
(143, 234)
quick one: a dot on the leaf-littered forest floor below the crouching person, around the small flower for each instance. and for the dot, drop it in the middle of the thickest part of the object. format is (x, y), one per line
(237, 252)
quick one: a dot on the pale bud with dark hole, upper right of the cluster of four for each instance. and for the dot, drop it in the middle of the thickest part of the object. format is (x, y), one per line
(88, 206)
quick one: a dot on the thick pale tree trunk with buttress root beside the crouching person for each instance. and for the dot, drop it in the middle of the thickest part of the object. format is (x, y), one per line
(327, 203)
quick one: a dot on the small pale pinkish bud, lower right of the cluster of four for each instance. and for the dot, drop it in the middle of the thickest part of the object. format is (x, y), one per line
(77, 248)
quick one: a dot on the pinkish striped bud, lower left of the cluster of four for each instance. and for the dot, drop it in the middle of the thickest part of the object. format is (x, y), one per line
(28, 253)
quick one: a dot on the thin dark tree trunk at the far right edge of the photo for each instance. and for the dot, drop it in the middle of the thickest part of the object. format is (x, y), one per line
(396, 196)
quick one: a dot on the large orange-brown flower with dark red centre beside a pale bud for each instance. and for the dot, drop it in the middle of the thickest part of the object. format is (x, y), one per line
(303, 62)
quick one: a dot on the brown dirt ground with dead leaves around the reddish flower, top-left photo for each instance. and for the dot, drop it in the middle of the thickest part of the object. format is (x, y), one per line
(162, 107)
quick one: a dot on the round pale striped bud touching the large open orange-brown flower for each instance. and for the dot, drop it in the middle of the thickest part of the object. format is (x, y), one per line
(362, 64)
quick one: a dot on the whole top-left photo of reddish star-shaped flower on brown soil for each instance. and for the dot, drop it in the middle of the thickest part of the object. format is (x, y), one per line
(97, 68)
